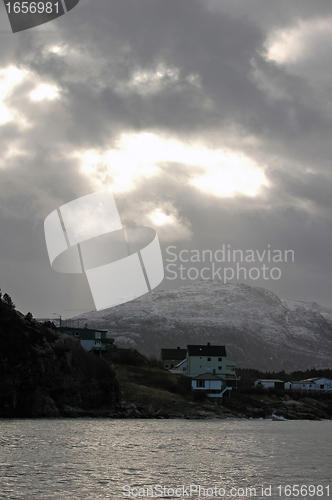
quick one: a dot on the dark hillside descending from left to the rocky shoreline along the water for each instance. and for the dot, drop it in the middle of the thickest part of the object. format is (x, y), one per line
(44, 373)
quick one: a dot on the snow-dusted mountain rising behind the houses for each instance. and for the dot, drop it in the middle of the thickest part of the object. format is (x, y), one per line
(259, 329)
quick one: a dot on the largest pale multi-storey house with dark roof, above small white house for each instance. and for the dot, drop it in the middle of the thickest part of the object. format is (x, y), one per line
(209, 359)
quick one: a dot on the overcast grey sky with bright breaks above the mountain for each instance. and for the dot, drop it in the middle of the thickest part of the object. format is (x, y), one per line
(210, 120)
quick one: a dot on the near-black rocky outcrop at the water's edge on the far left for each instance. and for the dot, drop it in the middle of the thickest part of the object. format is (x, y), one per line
(43, 372)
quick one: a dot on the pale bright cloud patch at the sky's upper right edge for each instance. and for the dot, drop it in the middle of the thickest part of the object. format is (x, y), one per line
(290, 45)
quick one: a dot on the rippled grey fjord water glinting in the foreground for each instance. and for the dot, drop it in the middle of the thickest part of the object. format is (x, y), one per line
(96, 459)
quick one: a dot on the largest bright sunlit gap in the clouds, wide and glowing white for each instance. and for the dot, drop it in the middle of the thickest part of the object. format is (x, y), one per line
(139, 156)
